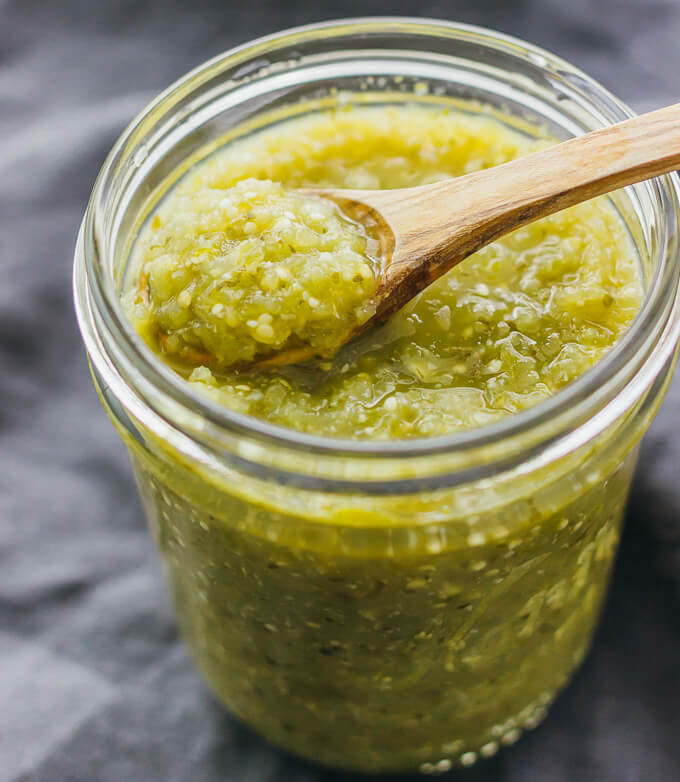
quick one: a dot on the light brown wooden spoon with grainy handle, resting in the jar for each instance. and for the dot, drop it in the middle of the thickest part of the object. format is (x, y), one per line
(425, 231)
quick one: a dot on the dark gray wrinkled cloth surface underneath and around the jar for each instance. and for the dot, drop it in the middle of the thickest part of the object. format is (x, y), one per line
(94, 686)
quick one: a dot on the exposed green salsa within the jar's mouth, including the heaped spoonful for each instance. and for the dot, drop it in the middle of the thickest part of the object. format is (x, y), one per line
(506, 329)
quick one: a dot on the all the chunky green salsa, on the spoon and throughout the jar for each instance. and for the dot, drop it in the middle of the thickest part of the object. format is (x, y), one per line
(407, 631)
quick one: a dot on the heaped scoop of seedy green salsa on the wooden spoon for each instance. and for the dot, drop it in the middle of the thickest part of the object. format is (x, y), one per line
(233, 274)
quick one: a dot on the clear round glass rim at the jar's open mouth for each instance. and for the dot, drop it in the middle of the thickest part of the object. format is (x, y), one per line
(633, 362)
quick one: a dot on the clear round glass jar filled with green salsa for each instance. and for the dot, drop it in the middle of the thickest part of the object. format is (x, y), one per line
(395, 605)
